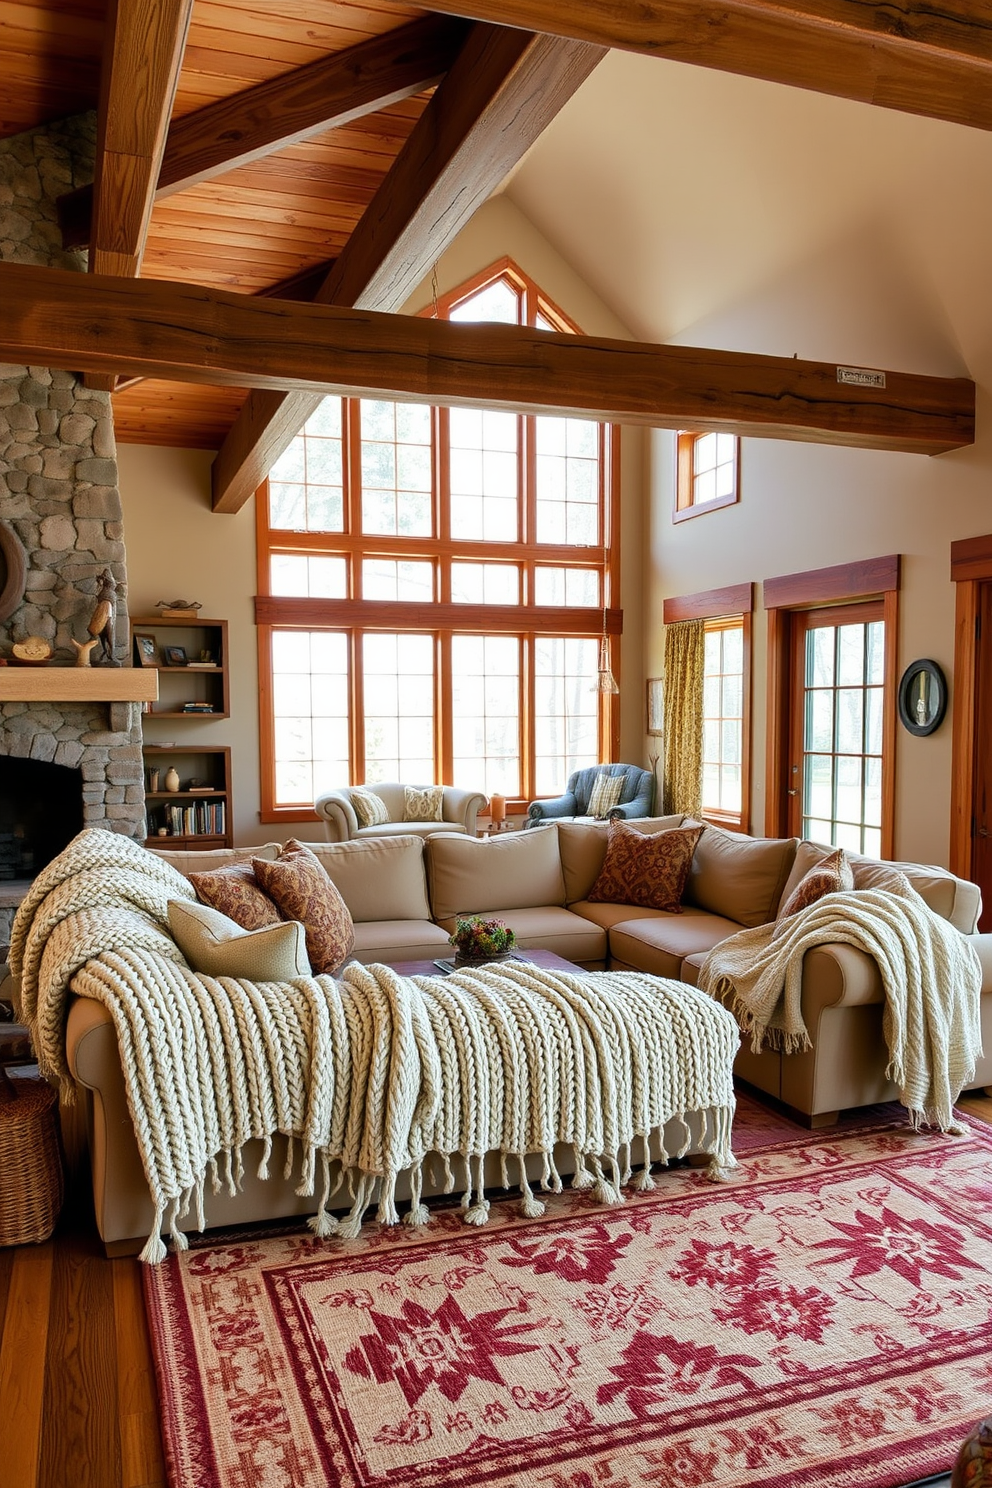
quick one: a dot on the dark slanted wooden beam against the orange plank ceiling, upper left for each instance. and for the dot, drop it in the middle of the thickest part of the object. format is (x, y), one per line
(291, 108)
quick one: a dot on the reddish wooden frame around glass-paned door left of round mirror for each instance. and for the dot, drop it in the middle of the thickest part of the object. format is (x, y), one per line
(786, 596)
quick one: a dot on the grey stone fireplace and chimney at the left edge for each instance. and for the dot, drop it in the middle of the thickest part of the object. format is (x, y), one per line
(59, 495)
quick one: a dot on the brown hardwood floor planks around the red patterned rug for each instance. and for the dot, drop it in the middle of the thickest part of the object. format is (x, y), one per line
(78, 1399)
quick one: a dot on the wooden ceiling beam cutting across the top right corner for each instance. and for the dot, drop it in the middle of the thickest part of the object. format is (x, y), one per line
(918, 57)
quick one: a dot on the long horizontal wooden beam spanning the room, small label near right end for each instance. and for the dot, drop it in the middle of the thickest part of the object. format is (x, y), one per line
(191, 334)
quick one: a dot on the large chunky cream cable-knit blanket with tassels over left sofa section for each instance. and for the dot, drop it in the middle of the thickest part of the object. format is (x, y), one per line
(371, 1074)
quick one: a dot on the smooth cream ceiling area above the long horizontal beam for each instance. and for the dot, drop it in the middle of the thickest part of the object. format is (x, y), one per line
(735, 214)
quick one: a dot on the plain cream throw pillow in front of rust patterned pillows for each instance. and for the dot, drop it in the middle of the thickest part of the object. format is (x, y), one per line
(216, 946)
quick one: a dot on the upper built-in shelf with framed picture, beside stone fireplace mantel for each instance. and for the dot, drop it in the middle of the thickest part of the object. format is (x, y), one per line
(191, 658)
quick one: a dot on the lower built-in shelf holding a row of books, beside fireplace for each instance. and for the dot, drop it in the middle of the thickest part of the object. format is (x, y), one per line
(199, 815)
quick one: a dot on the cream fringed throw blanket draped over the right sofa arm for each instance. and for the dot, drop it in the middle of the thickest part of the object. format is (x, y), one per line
(930, 972)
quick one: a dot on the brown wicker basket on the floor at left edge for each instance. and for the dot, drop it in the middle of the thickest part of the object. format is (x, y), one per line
(30, 1163)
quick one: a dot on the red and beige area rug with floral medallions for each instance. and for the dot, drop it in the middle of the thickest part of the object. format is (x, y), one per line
(825, 1319)
